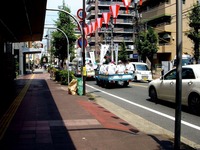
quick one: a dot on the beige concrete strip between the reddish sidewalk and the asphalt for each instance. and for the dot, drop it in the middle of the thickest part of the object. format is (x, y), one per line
(139, 122)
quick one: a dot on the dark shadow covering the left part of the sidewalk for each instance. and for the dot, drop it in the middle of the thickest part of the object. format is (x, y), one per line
(30, 128)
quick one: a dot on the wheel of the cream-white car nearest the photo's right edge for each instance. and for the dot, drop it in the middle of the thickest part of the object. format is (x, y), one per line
(194, 103)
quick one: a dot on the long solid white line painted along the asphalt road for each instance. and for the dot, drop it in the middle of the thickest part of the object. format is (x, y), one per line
(146, 108)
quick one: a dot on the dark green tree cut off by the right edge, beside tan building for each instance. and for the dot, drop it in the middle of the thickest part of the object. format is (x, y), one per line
(194, 34)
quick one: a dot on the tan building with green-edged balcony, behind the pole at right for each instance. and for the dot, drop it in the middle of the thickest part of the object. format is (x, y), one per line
(161, 14)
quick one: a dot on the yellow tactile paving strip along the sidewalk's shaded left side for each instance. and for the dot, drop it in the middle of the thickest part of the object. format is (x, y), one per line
(7, 117)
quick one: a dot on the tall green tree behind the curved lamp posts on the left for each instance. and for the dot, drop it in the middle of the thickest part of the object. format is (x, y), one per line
(59, 42)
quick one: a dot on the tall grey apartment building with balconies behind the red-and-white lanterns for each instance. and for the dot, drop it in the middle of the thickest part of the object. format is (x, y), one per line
(123, 30)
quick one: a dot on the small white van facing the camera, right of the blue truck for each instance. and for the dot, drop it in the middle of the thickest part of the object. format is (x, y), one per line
(141, 72)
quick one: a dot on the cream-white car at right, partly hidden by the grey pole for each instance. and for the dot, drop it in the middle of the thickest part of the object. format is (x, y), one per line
(164, 88)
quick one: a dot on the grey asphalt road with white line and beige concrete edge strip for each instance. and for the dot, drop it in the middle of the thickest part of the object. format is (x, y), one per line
(133, 104)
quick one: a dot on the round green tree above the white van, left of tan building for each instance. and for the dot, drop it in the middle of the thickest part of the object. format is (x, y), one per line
(147, 45)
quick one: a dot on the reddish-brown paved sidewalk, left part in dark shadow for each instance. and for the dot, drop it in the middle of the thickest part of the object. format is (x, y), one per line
(45, 116)
